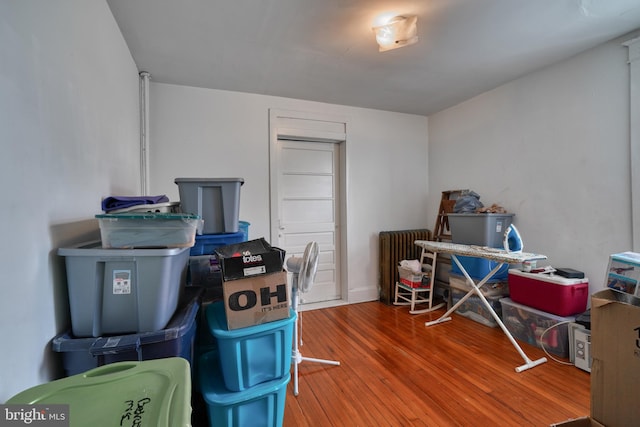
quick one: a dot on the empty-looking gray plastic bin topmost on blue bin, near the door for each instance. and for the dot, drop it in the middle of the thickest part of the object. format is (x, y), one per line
(215, 200)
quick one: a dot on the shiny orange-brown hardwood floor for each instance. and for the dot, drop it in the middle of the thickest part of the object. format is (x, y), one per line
(395, 371)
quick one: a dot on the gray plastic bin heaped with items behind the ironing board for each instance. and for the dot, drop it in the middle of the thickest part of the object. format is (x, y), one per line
(483, 229)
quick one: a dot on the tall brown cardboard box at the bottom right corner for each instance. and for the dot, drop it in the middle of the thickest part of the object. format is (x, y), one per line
(615, 351)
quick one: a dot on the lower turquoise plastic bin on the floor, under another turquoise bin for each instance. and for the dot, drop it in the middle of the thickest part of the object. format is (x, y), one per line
(259, 406)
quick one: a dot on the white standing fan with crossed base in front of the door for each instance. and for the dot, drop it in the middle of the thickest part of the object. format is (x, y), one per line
(303, 271)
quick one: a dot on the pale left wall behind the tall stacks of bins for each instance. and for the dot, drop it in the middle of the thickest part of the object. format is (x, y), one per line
(69, 136)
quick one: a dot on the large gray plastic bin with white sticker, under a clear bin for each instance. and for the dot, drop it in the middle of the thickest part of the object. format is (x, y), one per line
(119, 291)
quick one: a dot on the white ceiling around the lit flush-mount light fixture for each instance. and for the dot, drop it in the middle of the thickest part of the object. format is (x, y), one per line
(325, 50)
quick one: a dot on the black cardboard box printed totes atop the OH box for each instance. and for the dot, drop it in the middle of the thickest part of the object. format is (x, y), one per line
(250, 258)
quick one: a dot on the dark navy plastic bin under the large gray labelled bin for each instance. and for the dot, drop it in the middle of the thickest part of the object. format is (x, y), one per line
(176, 340)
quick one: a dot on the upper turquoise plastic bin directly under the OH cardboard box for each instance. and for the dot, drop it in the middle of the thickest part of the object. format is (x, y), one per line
(252, 355)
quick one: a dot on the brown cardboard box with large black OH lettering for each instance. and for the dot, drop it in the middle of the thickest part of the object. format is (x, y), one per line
(256, 300)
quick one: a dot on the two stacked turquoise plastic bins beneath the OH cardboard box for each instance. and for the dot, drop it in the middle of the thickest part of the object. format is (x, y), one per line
(244, 376)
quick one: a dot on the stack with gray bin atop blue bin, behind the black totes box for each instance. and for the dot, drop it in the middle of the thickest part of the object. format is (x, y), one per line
(217, 201)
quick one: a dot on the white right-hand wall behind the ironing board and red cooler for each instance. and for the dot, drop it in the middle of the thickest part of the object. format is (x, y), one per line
(552, 147)
